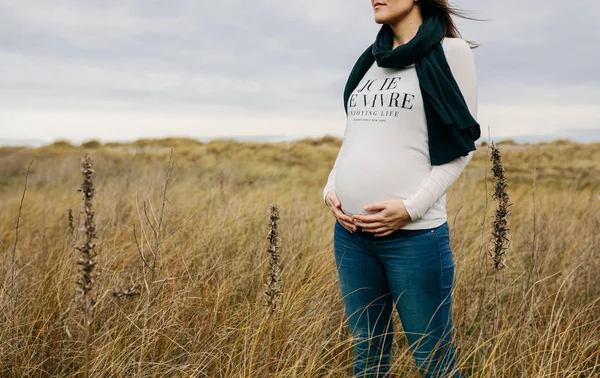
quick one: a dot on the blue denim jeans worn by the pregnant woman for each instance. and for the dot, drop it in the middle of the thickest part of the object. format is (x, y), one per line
(411, 270)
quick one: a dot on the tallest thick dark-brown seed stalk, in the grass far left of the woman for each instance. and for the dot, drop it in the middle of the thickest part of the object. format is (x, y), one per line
(85, 283)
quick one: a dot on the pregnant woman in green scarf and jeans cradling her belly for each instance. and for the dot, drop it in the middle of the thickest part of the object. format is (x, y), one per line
(411, 104)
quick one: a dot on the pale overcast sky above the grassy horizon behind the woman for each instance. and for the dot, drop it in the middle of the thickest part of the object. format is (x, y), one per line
(127, 69)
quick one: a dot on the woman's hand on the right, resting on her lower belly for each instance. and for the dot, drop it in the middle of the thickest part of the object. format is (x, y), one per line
(391, 215)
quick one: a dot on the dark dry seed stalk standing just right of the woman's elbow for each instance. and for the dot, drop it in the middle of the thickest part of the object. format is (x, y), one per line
(500, 229)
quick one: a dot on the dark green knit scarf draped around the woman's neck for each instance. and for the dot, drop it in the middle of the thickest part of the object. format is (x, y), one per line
(452, 130)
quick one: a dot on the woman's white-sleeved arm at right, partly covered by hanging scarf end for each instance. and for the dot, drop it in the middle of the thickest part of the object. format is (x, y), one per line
(462, 64)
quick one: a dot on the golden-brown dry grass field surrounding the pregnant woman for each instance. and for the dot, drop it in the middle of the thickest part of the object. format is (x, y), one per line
(204, 313)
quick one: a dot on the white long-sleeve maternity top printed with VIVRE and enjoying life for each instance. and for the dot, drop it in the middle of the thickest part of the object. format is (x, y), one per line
(385, 151)
